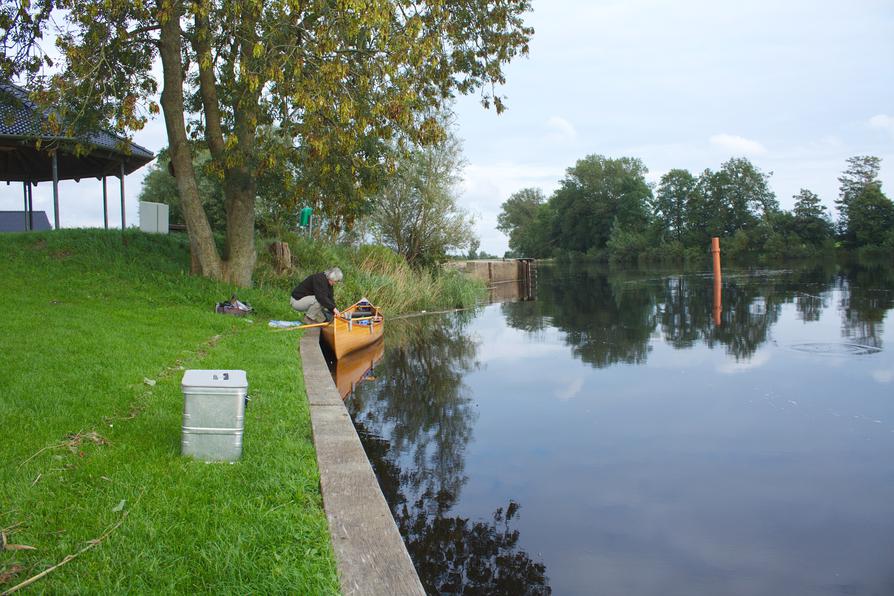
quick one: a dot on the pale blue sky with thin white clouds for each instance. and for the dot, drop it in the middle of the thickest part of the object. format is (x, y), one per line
(796, 87)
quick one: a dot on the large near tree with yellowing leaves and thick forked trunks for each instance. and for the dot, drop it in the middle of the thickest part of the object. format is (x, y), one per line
(335, 76)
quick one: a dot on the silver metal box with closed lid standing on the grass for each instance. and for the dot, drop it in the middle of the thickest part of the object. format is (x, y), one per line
(213, 414)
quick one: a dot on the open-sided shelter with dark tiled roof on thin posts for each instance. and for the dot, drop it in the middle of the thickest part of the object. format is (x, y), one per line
(28, 154)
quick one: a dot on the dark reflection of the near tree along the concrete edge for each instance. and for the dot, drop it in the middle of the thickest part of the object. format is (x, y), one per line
(415, 423)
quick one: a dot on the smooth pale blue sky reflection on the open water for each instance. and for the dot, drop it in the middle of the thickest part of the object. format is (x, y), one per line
(677, 477)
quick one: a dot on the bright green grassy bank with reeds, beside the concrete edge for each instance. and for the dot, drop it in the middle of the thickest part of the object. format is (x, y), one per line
(97, 330)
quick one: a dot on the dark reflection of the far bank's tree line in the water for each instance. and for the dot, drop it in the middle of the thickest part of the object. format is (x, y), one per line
(608, 315)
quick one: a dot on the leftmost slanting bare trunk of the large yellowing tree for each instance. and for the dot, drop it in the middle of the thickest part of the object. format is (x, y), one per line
(201, 239)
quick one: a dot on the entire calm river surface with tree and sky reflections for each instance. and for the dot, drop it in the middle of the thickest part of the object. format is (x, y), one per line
(608, 437)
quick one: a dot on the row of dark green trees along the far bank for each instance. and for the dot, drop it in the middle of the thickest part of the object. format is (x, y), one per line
(604, 208)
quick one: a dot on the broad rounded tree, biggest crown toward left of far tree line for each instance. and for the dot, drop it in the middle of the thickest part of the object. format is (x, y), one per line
(596, 193)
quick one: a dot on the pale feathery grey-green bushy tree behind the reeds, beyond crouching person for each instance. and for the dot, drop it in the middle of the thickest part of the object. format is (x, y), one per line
(416, 210)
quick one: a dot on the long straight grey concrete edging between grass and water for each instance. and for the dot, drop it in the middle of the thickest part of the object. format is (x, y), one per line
(370, 553)
